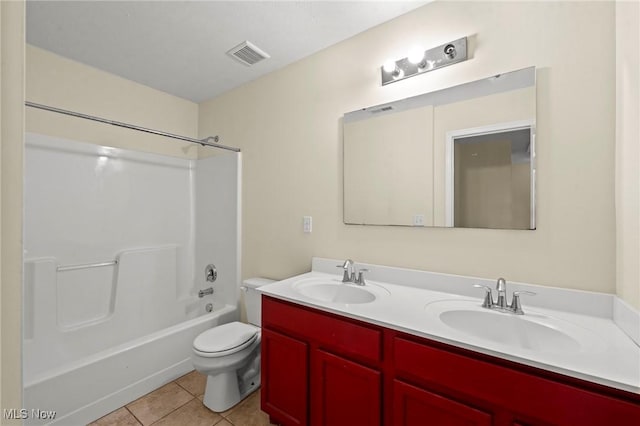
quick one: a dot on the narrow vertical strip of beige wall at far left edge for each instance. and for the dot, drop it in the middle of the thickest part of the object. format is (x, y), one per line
(11, 153)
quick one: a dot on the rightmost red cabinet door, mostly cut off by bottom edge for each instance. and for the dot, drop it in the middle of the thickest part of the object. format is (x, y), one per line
(413, 406)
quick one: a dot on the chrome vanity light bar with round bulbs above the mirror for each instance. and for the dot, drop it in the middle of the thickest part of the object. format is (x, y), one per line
(420, 61)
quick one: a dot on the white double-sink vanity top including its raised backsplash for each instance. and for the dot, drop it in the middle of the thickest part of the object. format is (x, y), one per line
(608, 356)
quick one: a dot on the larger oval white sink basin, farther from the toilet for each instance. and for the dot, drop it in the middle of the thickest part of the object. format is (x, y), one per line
(531, 331)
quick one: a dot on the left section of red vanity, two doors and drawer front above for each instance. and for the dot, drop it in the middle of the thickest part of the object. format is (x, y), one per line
(318, 368)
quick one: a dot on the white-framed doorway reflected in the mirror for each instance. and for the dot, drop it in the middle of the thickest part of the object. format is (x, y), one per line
(491, 184)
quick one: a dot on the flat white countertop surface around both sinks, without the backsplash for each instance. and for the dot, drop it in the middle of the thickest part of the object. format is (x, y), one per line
(614, 359)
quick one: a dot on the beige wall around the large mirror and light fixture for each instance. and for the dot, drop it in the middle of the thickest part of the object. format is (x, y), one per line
(288, 124)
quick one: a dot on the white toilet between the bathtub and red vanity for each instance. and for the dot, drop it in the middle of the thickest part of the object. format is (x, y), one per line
(229, 354)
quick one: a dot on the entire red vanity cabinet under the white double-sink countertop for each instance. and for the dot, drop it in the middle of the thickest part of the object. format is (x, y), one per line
(320, 368)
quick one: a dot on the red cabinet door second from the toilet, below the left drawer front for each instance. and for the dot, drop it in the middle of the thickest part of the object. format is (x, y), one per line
(344, 392)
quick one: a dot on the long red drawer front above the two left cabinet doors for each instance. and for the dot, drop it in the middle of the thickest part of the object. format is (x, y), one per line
(343, 336)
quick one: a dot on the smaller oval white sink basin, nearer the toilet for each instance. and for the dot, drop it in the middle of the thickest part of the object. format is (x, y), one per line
(335, 291)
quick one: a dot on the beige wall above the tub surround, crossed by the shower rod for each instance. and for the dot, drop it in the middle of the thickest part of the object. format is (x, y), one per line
(59, 82)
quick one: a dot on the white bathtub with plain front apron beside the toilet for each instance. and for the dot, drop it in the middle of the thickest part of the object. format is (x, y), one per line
(81, 392)
